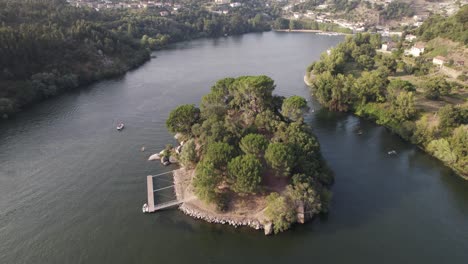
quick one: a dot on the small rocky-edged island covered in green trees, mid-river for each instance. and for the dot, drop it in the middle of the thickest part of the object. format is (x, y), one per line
(247, 157)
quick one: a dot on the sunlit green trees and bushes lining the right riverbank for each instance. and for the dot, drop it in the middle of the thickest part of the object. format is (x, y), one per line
(407, 95)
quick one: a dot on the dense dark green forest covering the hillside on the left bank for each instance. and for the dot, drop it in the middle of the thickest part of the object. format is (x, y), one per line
(47, 47)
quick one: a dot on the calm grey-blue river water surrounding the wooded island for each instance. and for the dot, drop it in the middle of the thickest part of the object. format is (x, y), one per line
(71, 186)
